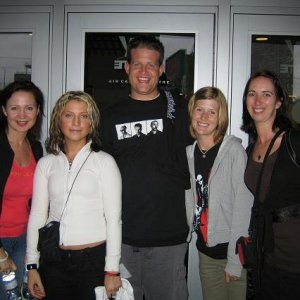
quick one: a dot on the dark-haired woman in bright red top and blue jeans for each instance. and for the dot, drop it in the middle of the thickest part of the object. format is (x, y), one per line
(20, 123)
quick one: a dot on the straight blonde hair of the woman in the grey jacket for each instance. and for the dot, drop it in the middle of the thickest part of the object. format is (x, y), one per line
(214, 93)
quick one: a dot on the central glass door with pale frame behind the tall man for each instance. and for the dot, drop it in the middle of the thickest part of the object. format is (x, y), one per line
(95, 51)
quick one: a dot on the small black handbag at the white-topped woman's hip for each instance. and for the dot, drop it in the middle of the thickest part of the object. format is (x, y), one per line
(48, 243)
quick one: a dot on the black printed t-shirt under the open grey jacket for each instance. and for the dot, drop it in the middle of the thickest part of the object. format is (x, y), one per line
(203, 167)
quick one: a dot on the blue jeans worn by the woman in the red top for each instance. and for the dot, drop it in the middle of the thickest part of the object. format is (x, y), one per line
(16, 249)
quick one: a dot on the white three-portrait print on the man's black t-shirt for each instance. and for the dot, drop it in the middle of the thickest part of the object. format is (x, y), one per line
(139, 129)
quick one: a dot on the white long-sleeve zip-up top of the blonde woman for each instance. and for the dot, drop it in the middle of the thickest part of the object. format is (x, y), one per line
(93, 211)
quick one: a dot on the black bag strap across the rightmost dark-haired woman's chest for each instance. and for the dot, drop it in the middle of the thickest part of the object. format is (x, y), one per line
(259, 180)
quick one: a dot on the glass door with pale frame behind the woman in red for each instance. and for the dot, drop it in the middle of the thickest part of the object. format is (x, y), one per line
(24, 50)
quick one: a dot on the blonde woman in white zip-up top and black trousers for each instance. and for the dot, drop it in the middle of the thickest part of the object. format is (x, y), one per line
(80, 186)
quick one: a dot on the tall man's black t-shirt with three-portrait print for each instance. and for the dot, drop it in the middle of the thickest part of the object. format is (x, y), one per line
(153, 198)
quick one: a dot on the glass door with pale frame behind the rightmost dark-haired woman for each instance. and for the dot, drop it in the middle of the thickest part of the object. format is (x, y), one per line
(265, 42)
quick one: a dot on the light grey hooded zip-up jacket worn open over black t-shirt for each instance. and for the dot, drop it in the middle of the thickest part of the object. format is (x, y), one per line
(229, 200)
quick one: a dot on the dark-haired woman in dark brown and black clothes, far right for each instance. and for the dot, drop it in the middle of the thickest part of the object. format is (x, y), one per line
(276, 211)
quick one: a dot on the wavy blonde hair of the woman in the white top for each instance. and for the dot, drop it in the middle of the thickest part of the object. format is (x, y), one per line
(55, 142)
